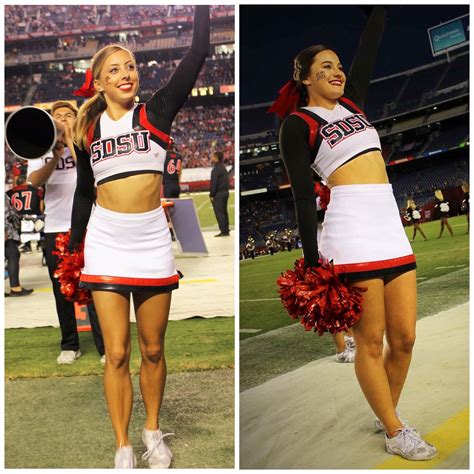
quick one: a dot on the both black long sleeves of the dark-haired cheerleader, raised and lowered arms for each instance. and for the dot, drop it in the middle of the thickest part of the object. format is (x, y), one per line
(294, 135)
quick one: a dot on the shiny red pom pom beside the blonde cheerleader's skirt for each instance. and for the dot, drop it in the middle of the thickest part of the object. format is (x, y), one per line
(69, 269)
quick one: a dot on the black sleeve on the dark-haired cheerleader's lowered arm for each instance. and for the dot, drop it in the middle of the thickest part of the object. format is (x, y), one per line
(297, 158)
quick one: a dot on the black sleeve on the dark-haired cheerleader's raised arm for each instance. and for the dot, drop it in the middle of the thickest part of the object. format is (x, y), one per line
(362, 68)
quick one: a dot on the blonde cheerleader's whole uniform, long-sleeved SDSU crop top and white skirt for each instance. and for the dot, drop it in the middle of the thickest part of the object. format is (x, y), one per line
(126, 251)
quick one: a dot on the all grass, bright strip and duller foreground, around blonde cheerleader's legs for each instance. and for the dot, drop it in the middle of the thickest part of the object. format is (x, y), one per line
(56, 416)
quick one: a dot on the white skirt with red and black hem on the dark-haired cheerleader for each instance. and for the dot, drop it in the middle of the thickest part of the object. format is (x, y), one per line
(363, 234)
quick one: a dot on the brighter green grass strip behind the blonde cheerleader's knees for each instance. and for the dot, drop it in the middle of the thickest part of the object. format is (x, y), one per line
(191, 345)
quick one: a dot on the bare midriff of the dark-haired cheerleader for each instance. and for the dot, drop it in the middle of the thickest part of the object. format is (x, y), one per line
(368, 168)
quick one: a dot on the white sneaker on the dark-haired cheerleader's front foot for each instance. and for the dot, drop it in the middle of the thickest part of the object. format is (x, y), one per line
(409, 445)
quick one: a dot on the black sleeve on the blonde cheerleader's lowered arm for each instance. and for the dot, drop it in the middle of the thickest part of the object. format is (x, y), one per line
(83, 199)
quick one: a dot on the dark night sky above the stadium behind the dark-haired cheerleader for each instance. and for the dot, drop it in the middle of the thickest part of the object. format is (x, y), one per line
(272, 35)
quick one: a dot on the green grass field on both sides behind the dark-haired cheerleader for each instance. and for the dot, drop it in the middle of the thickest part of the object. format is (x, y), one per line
(272, 343)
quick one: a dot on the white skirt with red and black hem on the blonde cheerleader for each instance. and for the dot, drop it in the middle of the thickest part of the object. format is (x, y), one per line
(129, 252)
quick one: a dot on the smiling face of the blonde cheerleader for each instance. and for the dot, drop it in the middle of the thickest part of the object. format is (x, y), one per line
(118, 78)
